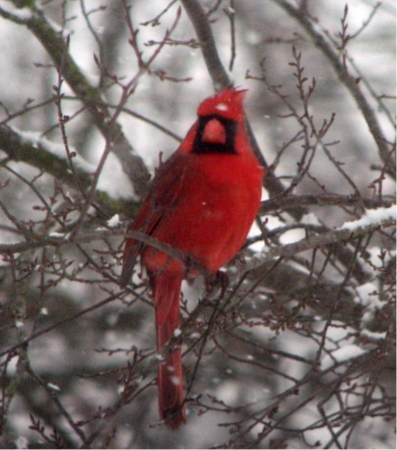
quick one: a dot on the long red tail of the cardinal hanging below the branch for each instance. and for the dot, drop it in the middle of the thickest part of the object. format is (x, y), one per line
(166, 288)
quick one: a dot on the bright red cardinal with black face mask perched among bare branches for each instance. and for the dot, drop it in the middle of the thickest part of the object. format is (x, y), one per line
(202, 201)
